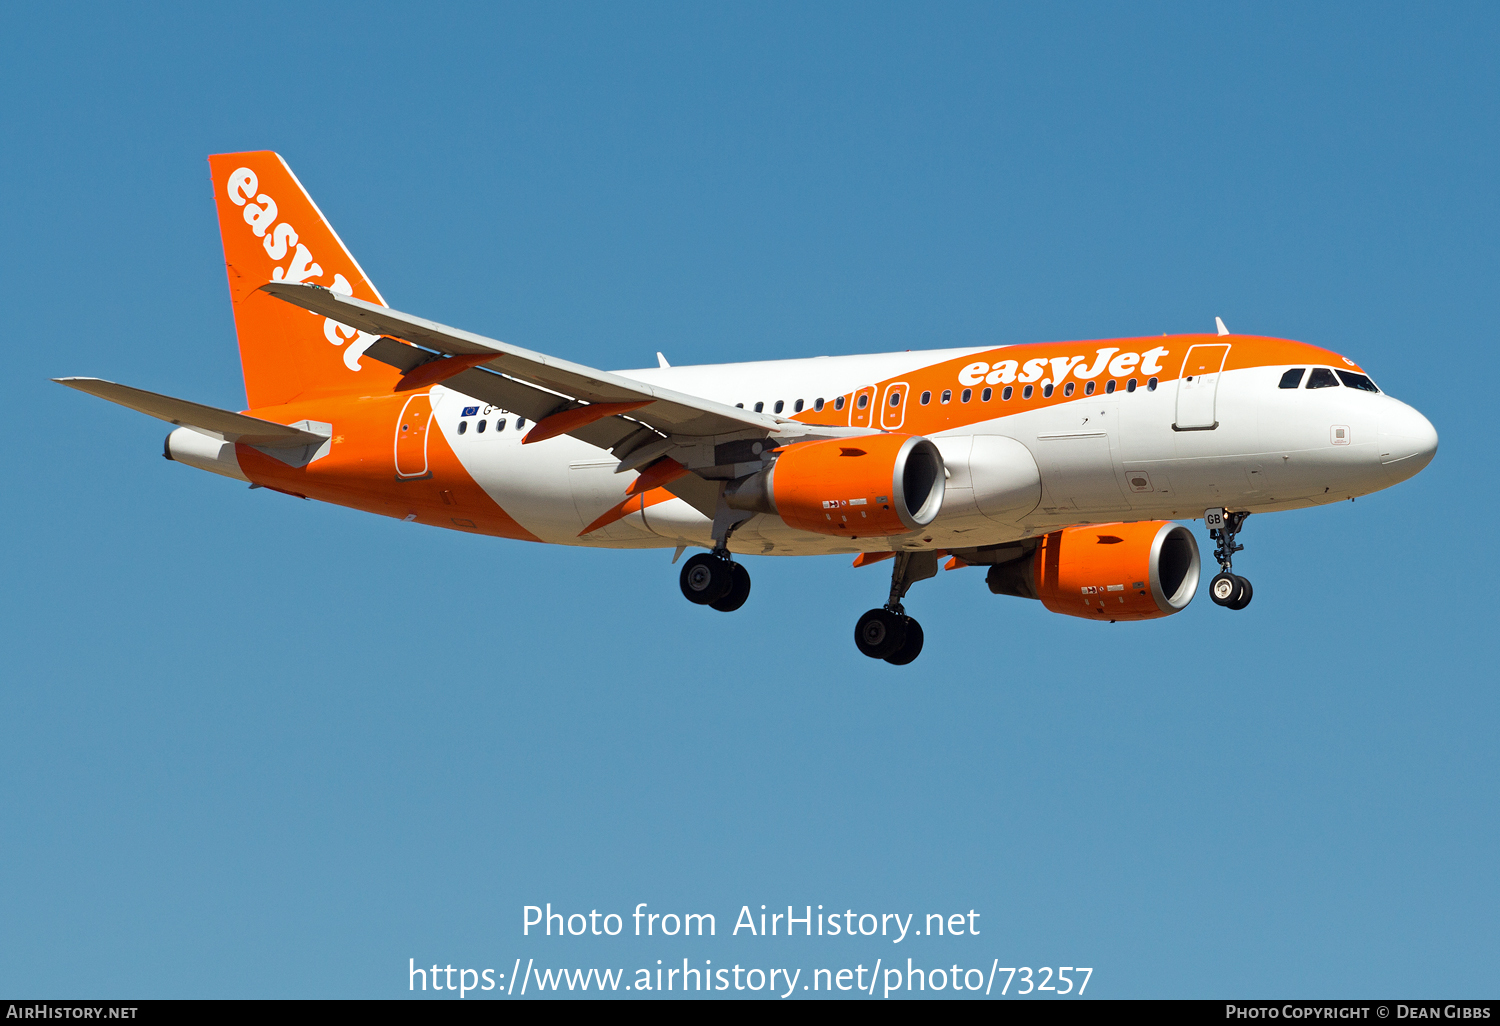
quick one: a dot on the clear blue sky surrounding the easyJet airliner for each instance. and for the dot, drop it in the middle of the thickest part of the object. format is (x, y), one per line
(265, 748)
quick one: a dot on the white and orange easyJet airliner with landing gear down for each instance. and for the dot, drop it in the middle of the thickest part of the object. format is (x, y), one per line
(1060, 467)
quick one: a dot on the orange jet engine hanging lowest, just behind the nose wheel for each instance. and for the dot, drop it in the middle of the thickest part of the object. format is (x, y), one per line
(1108, 571)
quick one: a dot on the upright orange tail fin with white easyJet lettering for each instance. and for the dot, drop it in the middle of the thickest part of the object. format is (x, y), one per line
(272, 230)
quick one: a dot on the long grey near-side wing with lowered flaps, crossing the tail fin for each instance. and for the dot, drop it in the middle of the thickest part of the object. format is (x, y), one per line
(530, 383)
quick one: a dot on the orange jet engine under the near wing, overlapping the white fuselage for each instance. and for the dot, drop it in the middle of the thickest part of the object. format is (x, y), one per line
(872, 485)
